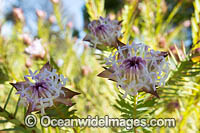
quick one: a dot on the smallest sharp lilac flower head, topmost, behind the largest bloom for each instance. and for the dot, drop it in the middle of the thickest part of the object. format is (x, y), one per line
(104, 31)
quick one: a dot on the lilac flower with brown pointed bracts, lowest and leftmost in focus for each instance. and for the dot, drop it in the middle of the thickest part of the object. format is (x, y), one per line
(44, 89)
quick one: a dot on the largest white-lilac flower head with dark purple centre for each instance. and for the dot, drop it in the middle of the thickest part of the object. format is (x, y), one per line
(137, 68)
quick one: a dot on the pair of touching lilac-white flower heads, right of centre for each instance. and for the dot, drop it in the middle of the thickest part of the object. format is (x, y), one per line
(135, 67)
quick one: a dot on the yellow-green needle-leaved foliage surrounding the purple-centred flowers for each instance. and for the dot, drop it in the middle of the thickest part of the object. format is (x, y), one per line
(151, 22)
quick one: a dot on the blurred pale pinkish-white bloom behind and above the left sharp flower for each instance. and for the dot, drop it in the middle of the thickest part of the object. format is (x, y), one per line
(35, 49)
